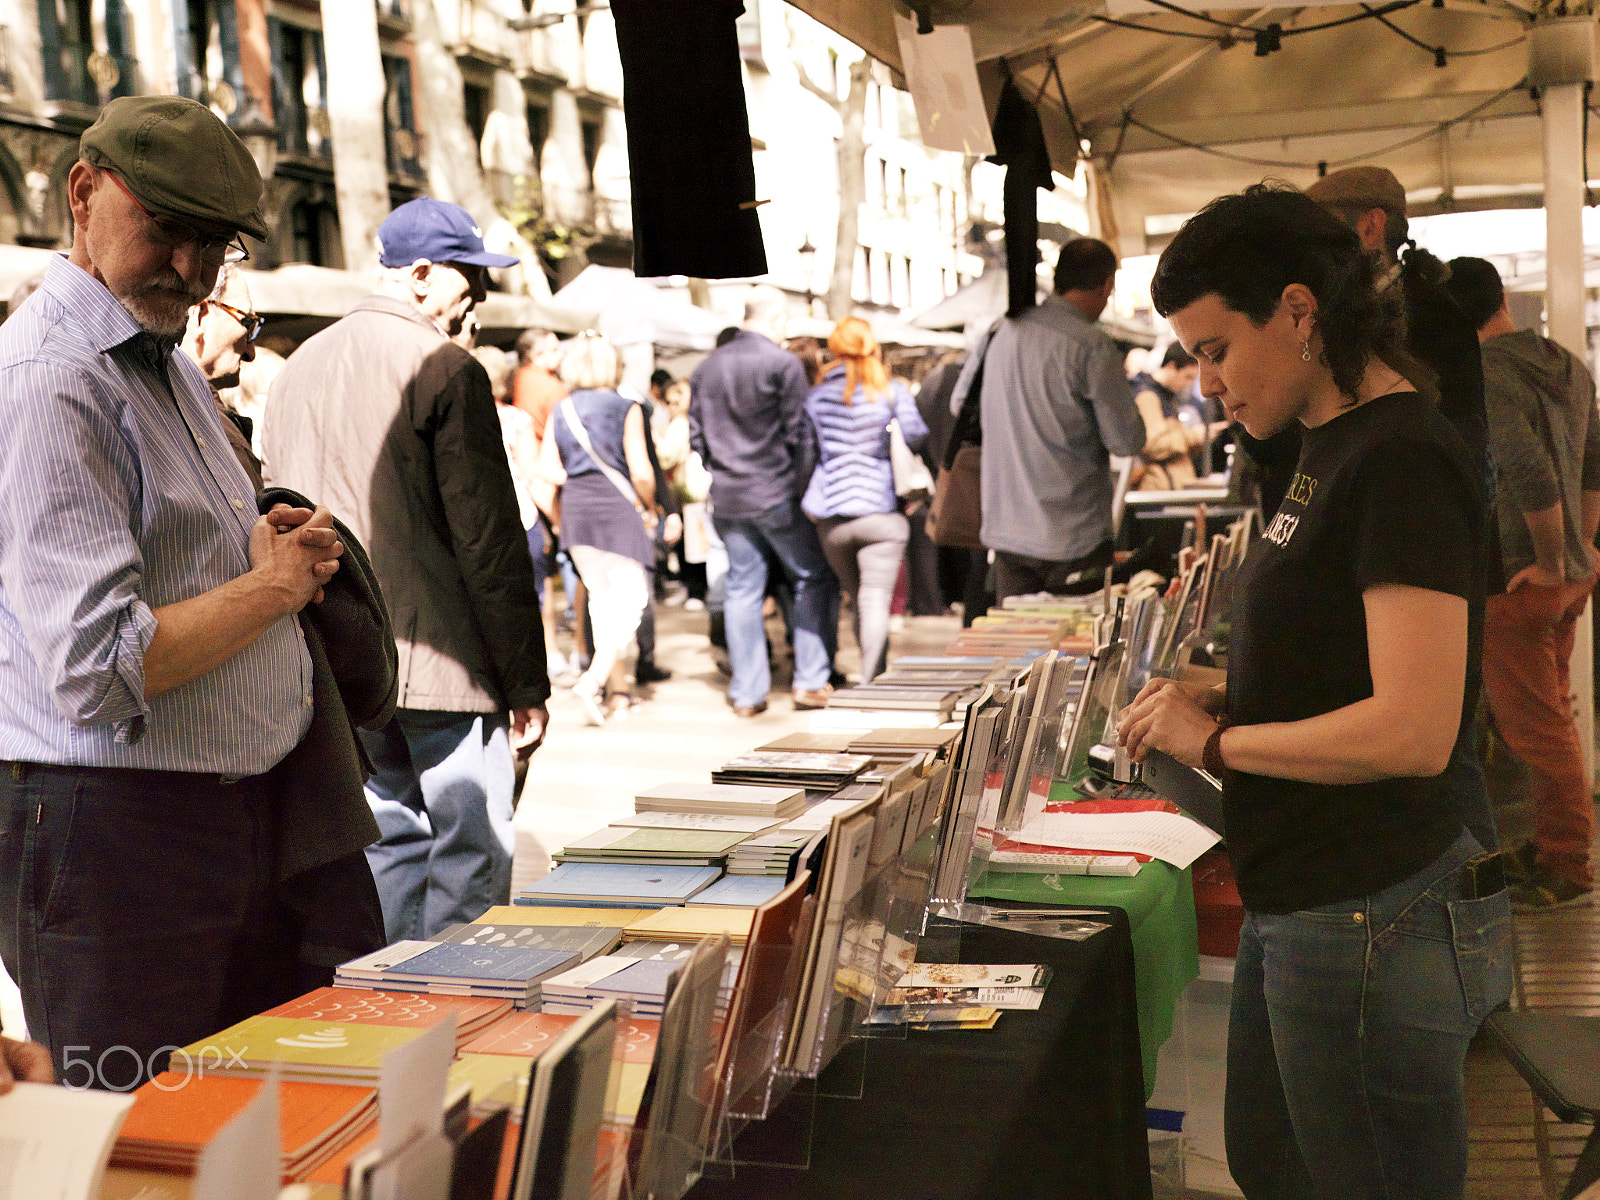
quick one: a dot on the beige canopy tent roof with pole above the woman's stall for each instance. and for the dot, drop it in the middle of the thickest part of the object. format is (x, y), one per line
(1471, 103)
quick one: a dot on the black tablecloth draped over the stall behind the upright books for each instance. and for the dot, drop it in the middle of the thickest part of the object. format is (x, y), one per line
(1044, 1105)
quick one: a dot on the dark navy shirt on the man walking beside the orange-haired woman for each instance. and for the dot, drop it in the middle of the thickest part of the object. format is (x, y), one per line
(750, 426)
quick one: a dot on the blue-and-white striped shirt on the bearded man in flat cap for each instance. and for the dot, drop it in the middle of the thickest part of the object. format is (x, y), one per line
(122, 497)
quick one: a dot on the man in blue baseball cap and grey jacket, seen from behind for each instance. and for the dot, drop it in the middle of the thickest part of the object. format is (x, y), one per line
(393, 426)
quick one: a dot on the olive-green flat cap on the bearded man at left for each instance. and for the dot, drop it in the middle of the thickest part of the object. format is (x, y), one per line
(180, 161)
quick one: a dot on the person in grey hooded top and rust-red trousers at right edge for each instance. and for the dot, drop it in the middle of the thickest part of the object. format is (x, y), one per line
(1546, 438)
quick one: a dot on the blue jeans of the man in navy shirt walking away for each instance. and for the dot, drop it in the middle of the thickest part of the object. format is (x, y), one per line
(786, 532)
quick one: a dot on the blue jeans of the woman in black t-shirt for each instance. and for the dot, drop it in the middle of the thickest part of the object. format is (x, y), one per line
(1350, 1034)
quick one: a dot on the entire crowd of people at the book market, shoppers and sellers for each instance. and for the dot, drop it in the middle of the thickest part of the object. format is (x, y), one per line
(266, 678)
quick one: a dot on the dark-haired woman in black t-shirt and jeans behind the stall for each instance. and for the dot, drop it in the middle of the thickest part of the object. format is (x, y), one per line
(1375, 938)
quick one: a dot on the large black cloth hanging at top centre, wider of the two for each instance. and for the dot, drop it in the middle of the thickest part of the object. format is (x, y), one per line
(689, 140)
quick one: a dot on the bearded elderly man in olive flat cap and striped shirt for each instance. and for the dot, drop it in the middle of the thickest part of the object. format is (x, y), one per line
(153, 671)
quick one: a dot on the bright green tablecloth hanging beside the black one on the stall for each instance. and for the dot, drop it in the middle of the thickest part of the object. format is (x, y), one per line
(1161, 908)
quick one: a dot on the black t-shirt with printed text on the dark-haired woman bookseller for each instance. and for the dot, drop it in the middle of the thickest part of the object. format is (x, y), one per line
(1385, 494)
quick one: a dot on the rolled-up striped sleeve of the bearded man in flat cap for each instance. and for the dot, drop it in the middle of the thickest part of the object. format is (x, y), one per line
(70, 559)
